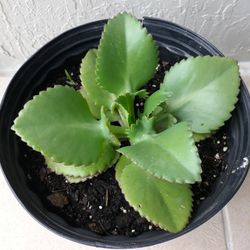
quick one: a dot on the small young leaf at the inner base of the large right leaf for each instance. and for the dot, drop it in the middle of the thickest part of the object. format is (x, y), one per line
(153, 101)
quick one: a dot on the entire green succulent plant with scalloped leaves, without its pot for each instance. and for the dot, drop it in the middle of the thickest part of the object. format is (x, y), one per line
(82, 133)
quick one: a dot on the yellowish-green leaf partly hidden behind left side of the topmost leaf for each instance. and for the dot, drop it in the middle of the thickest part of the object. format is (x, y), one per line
(96, 94)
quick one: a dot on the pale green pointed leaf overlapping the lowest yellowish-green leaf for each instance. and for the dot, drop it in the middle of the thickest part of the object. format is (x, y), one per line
(170, 155)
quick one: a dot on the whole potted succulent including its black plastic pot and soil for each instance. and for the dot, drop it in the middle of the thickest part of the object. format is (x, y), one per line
(147, 132)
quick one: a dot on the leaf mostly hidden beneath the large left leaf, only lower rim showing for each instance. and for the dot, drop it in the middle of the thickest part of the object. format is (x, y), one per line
(107, 158)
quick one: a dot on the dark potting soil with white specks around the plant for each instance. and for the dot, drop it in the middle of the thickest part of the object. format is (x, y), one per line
(98, 204)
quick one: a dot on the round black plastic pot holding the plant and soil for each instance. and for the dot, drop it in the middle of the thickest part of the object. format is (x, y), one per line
(175, 43)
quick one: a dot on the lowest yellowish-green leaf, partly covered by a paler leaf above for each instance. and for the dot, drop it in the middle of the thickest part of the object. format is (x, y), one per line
(165, 204)
